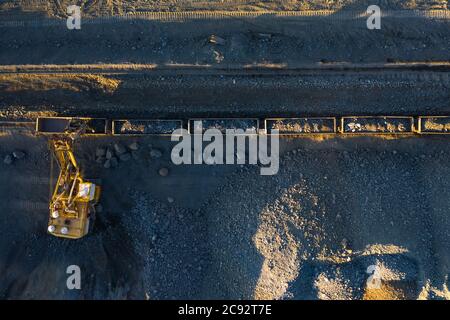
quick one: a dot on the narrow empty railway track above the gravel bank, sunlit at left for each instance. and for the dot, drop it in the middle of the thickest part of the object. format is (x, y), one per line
(228, 69)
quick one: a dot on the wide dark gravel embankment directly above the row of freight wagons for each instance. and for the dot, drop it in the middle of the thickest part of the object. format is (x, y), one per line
(187, 96)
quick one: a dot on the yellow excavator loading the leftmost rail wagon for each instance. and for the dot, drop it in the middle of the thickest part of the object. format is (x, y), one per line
(72, 204)
